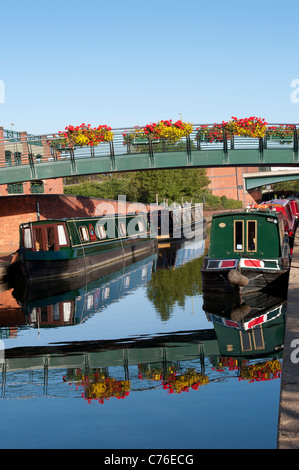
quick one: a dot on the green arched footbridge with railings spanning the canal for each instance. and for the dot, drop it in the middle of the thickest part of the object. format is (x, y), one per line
(26, 158)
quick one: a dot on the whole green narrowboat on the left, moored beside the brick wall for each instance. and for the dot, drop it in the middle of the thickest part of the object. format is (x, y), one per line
(61, 249)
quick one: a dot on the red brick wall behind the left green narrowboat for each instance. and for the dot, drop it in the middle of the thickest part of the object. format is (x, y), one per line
(15, 210)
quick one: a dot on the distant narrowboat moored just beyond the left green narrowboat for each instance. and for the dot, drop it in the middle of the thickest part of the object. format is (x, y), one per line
(176, 222)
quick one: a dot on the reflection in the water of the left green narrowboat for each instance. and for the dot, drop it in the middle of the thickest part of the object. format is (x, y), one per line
(54, 307)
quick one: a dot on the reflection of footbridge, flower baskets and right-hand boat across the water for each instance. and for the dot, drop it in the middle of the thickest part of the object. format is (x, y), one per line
(177, 363)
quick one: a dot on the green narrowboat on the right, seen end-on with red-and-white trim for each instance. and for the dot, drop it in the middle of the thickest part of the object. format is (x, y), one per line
(248, 252)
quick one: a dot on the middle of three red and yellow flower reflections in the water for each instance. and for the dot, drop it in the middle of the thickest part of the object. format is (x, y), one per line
(183, 382)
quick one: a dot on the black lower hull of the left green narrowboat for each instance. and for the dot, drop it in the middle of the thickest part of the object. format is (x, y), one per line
(37, 266)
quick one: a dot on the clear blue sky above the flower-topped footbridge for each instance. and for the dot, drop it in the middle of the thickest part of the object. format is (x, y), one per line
(133, 62)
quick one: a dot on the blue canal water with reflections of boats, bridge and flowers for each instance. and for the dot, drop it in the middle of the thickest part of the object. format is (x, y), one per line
(141, 359)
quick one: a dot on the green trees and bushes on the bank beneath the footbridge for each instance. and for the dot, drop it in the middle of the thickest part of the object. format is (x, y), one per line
(144, 186)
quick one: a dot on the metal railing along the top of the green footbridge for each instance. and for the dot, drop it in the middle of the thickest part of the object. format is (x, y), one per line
(16, 150)
